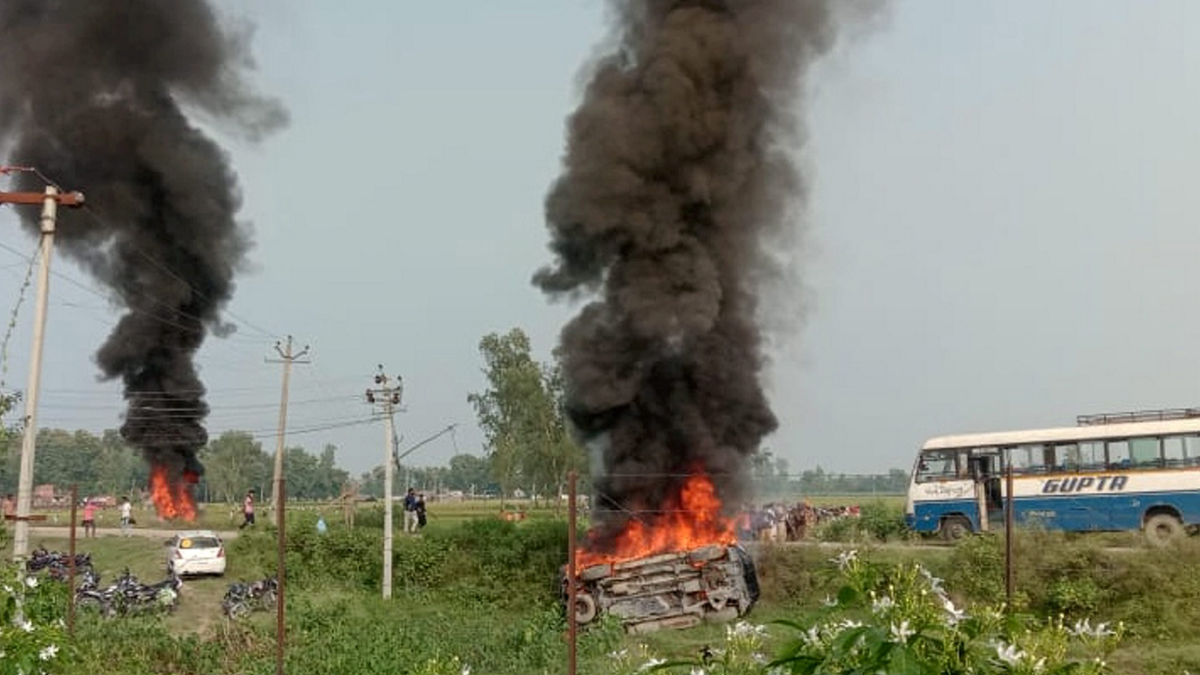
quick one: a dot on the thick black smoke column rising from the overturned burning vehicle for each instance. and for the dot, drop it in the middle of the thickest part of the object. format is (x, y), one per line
(679, 176)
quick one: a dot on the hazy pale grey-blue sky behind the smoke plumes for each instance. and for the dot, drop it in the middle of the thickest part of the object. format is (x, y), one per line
(1003, 231)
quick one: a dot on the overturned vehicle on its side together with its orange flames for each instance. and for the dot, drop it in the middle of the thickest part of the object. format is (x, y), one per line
(676, 570)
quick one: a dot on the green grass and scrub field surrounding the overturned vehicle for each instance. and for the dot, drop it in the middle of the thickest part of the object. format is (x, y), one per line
(483, 592)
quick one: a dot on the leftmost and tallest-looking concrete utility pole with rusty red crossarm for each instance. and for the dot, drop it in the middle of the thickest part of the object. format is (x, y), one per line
(50, 201)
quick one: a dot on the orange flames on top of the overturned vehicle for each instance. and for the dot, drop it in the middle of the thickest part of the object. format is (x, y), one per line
(692, 522)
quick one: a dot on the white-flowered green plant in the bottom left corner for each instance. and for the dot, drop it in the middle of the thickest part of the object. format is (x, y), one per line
(32, 630)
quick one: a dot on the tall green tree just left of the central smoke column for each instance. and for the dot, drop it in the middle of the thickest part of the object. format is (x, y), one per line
(521, 416)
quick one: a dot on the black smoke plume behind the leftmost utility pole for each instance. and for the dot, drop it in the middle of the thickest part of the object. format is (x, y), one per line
(93, 94)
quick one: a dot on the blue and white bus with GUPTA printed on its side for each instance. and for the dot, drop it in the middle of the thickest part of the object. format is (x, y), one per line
(1109, 473)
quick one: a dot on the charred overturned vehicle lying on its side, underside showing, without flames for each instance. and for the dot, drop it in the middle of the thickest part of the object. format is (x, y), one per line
(671, 590)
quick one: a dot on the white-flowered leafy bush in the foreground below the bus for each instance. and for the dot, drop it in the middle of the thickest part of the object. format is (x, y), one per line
(901, 620)
